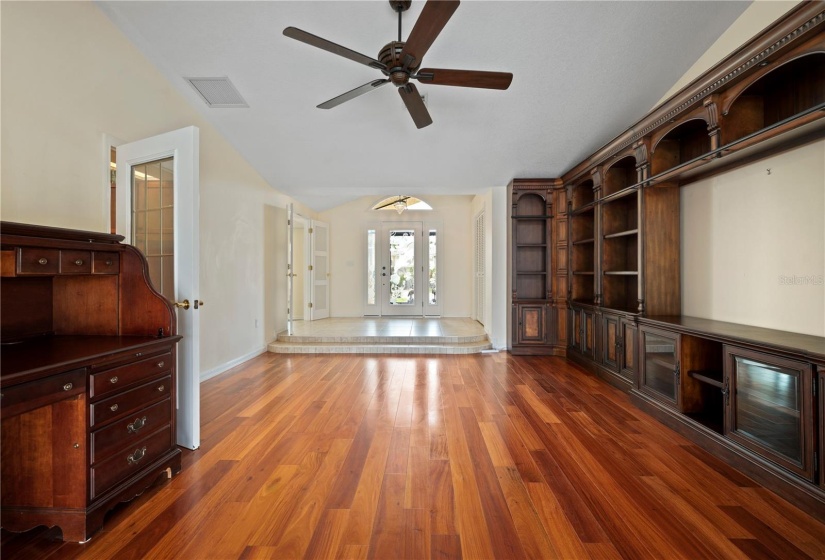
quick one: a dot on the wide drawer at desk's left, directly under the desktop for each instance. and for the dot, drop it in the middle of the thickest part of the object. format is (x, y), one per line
(28, 396)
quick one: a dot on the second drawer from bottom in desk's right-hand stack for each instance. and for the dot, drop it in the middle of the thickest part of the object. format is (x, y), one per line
(129, 431)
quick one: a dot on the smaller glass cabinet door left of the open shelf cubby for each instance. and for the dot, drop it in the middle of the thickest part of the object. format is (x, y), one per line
(660, 366)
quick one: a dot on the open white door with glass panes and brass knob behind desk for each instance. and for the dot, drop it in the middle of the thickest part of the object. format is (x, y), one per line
(157, 211)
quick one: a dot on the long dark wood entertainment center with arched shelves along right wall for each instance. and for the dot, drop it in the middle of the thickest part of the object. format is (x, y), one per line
(754, 397)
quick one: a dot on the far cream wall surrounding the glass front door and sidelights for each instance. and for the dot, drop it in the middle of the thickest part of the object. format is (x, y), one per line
(348, 254)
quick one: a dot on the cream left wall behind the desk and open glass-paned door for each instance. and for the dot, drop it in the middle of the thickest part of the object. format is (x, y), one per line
(69, 77)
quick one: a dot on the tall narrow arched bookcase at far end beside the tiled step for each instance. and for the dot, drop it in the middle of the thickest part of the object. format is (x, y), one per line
(537, 271)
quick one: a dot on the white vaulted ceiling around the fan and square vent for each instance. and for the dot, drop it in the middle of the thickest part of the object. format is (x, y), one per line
(583, 72)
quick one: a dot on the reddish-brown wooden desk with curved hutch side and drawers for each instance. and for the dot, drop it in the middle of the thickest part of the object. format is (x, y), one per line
(87, 377)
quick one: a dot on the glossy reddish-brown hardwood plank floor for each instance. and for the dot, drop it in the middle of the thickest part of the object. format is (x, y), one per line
(479, 456)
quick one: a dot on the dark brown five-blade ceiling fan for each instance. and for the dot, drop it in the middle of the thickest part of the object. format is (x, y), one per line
(401, 61)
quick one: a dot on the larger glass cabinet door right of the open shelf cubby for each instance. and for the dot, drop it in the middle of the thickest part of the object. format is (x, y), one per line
(770, 407)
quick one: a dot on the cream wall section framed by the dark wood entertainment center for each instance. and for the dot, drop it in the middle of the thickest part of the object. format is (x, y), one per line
(753, 244)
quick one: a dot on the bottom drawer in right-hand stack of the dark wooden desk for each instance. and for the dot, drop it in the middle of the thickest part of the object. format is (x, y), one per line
(130, 461)
